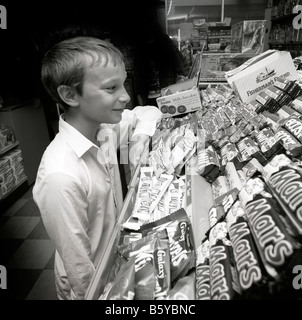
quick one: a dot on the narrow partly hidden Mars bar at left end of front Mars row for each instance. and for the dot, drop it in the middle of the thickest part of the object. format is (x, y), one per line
(202, 272)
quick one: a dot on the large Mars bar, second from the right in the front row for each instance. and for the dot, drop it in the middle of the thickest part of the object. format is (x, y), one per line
(275, 244)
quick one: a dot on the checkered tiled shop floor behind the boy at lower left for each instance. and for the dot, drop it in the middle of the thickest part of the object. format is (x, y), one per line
(26, 252)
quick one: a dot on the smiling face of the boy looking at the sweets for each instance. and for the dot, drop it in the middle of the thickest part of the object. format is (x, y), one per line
(104, 97)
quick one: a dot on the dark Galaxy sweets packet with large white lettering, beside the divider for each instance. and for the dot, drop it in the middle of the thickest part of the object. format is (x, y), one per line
(181, 243)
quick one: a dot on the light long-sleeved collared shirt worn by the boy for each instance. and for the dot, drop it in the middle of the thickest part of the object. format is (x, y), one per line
(78, 192)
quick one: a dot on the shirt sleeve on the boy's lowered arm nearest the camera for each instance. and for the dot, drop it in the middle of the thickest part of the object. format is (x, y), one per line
(61, 200)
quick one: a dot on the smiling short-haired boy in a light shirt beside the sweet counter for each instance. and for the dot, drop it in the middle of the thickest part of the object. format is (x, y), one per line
(78, 189)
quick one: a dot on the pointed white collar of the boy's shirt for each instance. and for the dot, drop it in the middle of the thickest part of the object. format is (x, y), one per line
(79, 143)
